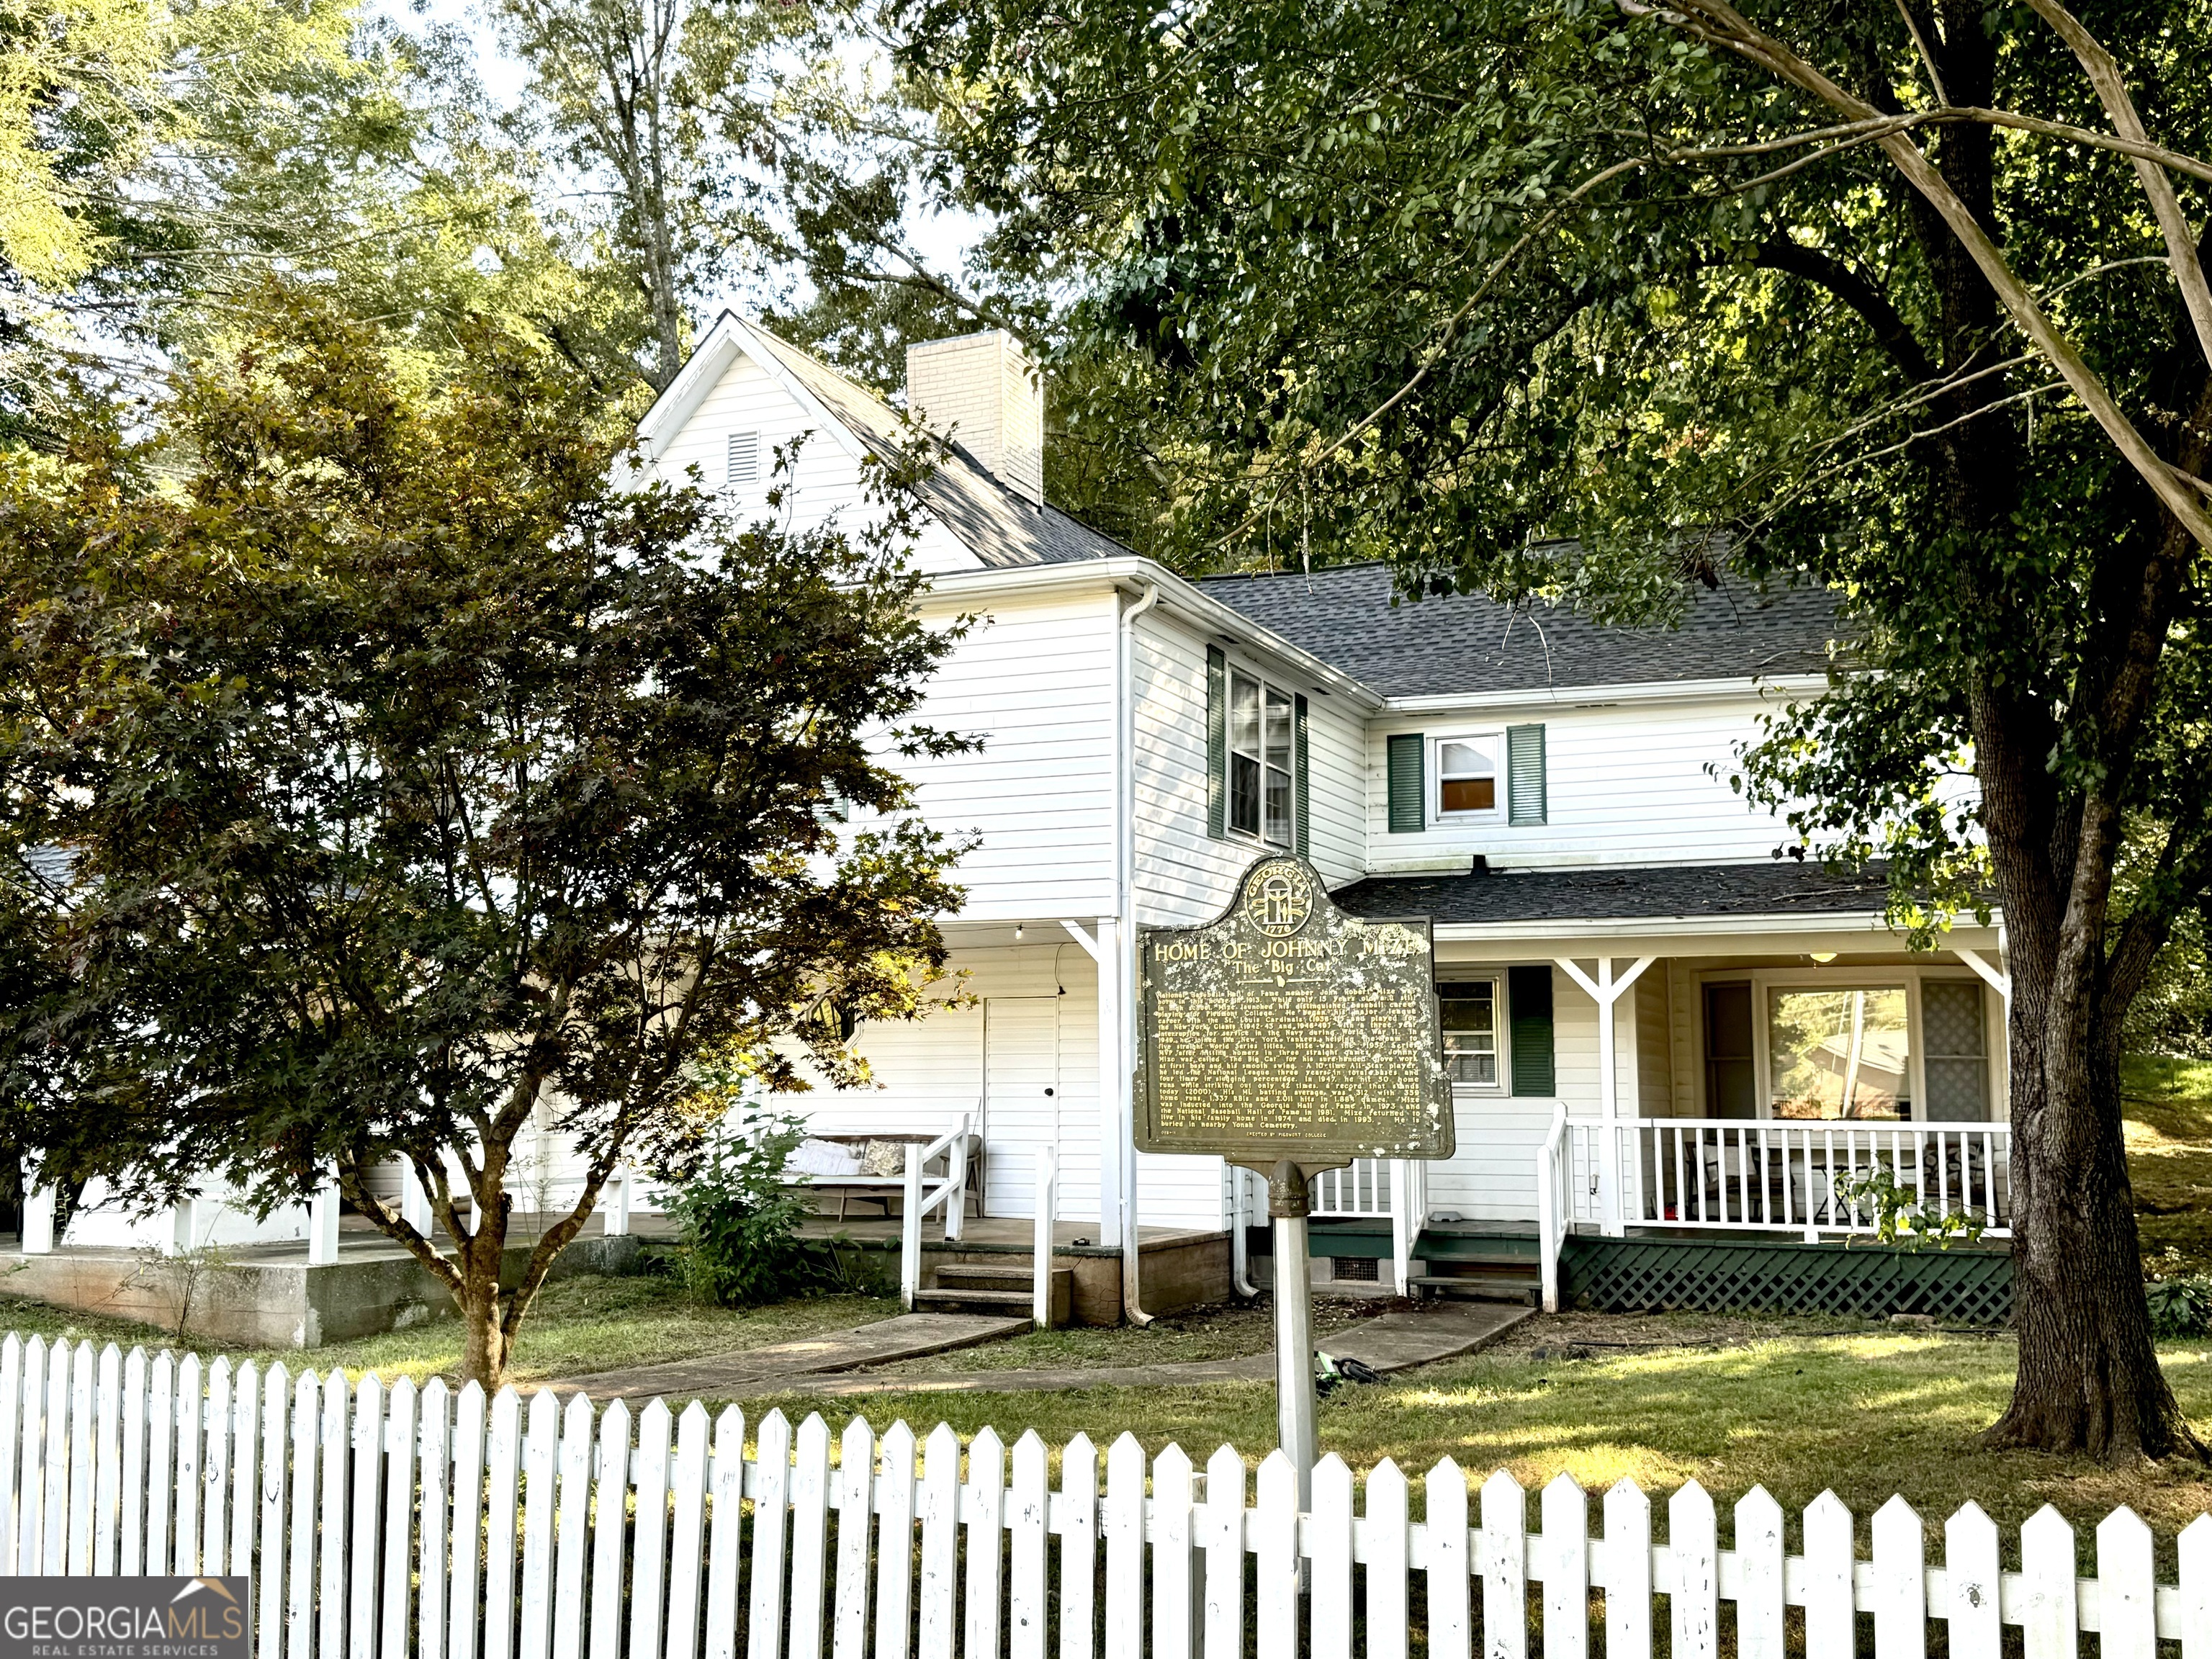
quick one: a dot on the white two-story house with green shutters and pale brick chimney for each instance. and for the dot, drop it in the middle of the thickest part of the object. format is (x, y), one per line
(1658, 1027)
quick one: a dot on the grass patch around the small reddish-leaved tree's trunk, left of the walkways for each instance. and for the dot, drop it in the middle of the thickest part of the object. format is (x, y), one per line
(576, 1326)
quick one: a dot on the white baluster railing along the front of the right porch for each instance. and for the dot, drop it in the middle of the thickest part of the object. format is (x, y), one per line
(1799, 1176)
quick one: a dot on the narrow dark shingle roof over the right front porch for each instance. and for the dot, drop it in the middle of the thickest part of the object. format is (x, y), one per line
(1616, 895)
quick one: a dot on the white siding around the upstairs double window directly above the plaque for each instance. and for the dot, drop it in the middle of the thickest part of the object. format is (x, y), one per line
(1187, 877)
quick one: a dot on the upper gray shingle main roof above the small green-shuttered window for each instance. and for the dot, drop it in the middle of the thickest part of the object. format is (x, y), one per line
(1457, 645)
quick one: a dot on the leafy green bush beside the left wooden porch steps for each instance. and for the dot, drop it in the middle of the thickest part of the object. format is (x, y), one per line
(740, 1222)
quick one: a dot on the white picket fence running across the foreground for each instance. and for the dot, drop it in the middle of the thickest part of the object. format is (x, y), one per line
(390, 1523)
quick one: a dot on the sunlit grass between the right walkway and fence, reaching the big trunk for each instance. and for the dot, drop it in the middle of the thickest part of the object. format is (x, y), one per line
(1793, 1406)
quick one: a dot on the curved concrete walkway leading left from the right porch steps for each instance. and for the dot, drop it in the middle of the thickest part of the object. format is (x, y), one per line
(1388, 1344)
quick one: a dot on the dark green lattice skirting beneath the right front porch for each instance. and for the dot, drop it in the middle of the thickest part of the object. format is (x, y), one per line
(1961, 1286)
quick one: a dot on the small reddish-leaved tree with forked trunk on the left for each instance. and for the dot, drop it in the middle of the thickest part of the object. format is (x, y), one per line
(384, 780)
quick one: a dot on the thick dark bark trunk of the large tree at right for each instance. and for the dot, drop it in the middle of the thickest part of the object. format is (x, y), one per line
(2089, 1377)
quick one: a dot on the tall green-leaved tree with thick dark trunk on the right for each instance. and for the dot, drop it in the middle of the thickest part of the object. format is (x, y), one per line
(1903, 300)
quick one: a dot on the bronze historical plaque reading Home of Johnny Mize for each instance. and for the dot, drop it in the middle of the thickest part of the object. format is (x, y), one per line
(1291, 1030)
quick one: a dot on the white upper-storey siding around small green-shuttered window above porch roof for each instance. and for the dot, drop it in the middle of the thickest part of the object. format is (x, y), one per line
(1625, 784)
